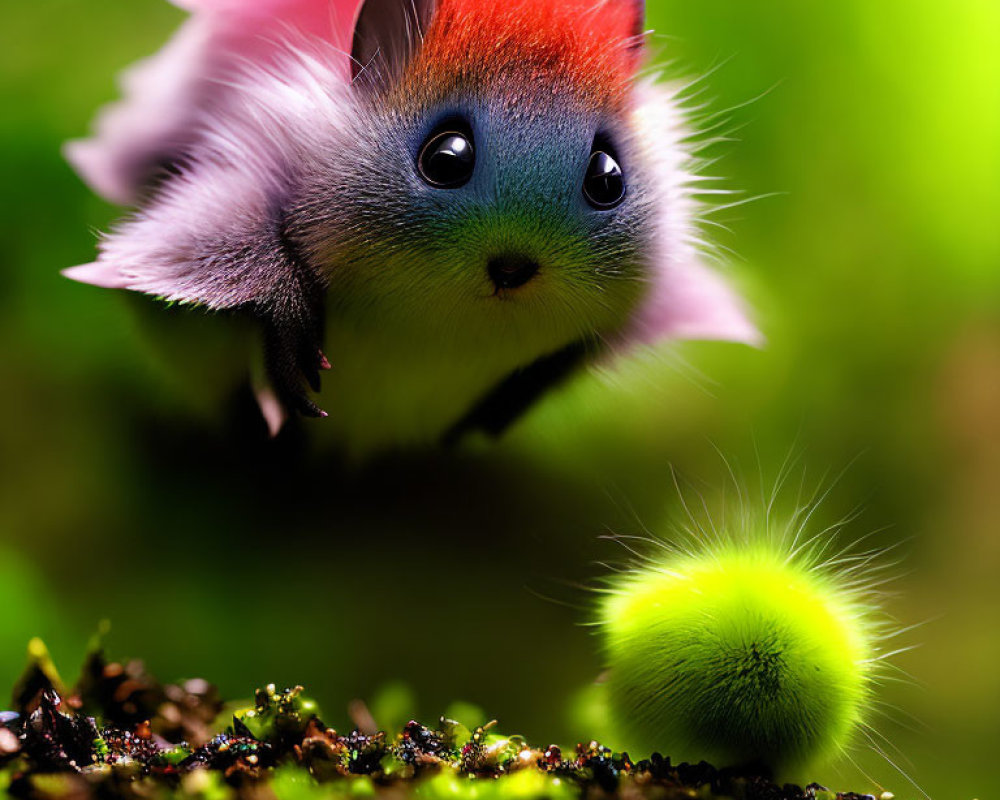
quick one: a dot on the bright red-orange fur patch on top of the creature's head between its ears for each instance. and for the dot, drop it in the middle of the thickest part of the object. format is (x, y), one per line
(591, 47)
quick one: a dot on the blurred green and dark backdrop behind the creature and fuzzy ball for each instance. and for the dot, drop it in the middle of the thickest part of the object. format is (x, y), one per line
(129, 492)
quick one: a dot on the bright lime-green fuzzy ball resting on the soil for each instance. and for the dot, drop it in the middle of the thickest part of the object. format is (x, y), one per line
(739, 655)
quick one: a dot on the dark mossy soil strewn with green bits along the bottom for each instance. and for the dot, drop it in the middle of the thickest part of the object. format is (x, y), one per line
(119, 733)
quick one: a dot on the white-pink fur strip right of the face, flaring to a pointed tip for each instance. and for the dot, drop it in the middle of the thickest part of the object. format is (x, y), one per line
(686, 299)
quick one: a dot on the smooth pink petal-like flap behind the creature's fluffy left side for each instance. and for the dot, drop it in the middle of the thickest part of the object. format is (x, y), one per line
(165, 94)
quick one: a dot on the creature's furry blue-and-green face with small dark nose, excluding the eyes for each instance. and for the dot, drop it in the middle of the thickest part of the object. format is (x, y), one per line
(515, 242)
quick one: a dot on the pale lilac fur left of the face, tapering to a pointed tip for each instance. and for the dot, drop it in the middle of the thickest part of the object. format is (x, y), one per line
(222, 200)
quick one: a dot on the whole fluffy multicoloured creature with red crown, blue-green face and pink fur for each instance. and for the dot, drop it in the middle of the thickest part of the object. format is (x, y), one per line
(459, 200)
